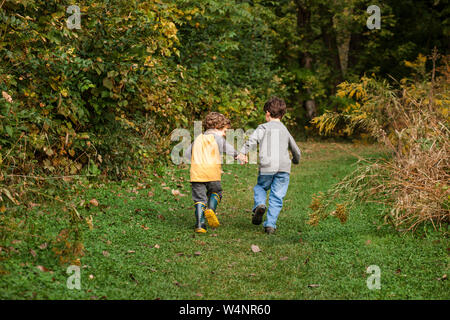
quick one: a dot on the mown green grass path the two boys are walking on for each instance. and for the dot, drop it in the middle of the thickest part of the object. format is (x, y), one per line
(220, 264)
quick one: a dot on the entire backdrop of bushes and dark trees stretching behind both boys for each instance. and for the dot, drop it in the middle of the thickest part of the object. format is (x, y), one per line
(111, 92)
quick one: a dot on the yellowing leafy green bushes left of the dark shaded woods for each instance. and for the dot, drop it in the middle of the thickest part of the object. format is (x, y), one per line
(110, 93)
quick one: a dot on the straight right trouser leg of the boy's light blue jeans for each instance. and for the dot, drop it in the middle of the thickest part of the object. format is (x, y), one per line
(278, 190)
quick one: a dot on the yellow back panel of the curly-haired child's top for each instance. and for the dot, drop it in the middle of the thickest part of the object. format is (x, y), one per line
(205, 160)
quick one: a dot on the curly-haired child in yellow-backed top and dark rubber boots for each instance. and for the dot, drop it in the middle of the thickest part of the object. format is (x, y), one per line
(206, 169)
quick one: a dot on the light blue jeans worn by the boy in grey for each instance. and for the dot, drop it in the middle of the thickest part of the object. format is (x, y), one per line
(277, 184)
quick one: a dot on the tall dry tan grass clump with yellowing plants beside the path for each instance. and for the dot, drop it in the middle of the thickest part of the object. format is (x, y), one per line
(413, 183)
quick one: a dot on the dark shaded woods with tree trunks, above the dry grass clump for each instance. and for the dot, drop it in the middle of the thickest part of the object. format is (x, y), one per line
(322, 43)
